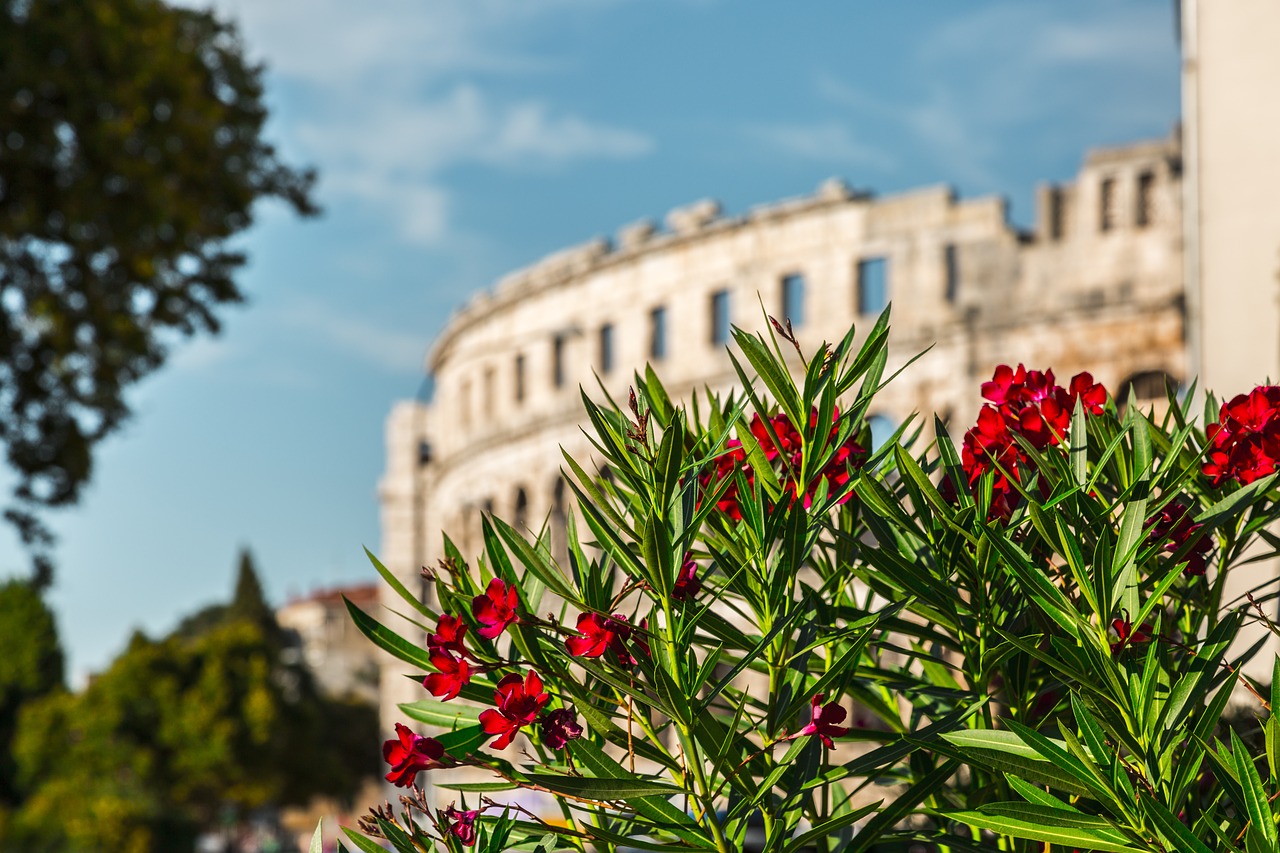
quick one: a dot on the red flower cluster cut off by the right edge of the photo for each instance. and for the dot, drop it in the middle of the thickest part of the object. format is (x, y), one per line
(1245, 444)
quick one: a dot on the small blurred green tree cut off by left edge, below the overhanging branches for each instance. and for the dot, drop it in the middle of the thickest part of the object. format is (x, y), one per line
(31, 667)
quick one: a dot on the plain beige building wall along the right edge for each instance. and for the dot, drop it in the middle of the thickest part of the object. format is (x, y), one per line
(1232, 127)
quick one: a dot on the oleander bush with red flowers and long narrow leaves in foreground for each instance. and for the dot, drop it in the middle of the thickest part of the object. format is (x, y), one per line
(762, 632)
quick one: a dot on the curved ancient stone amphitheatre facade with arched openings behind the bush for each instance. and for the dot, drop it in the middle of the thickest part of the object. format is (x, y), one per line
(1098, 286)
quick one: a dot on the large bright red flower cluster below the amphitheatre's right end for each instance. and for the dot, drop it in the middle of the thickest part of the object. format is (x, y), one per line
(1030, 404)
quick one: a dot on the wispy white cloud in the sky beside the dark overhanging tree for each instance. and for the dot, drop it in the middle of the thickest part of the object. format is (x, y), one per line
(392, 99)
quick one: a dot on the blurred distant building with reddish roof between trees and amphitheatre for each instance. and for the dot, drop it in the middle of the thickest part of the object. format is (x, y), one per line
(342, 660)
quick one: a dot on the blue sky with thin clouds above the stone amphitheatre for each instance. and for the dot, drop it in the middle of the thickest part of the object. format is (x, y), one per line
(461, 139)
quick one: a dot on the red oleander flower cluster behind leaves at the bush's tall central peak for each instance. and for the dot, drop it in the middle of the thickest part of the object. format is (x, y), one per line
(788, 454)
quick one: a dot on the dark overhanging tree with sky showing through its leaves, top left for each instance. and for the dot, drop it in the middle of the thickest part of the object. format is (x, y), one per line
(131, 153)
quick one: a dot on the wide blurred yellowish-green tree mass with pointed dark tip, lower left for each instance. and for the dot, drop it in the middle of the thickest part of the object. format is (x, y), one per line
(180, 731)
